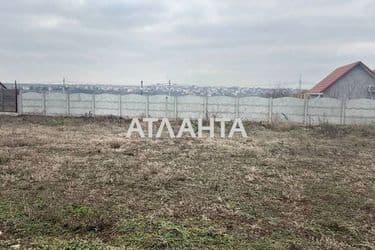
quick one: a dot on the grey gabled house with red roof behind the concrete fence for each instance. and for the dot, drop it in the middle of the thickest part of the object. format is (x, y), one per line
(350, 81)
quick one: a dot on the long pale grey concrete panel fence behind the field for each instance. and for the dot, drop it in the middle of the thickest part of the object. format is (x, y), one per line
(286, 109)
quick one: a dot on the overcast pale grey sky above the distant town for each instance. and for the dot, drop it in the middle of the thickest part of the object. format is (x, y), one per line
(209, 42)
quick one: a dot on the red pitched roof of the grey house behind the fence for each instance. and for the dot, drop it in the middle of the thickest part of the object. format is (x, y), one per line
(336, 75)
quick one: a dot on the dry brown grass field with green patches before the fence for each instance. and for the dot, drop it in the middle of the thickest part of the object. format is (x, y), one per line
(79, 183)
